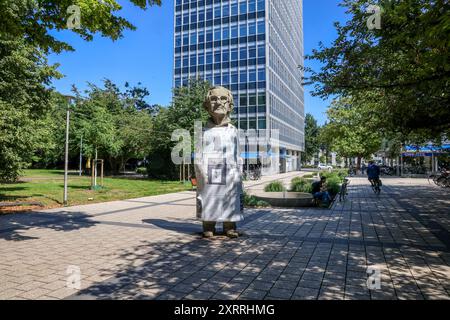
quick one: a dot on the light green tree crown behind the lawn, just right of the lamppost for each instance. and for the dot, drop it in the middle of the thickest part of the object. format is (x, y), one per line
(112, 124)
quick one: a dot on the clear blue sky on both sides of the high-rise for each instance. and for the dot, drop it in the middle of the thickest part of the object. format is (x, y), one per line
(146, 55)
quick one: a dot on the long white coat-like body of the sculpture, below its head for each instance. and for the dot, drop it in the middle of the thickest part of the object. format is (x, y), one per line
(218, 172)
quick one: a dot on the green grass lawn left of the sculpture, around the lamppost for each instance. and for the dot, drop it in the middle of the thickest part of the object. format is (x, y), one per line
(47, 186)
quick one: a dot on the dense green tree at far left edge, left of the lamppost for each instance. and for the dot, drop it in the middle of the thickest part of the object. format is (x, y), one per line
(24, 98)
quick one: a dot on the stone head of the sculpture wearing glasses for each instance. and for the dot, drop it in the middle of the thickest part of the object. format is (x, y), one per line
(219, 104)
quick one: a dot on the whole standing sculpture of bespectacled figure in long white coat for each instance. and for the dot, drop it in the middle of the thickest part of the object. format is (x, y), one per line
(218, 168)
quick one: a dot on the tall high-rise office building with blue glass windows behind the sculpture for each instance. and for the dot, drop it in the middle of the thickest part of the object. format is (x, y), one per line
(255, 49)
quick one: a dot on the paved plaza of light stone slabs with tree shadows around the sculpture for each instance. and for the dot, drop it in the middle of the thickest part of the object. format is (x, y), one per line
(151, 248)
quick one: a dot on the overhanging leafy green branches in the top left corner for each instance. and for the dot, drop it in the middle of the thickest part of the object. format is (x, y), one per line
(32, 20)
